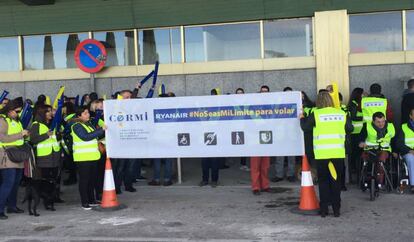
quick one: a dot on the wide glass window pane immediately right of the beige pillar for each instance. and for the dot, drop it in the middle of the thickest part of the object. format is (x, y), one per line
(375, 32)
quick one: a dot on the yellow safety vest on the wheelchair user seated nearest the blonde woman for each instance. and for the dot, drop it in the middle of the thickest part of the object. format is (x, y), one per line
(373, 142)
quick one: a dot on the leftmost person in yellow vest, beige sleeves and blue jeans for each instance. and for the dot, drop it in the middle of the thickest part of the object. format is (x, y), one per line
(11, 134)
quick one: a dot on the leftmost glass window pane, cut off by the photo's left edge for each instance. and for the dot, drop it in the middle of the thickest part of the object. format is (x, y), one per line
(9, 54)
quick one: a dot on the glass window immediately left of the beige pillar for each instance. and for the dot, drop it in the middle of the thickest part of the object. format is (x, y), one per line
(286, 38)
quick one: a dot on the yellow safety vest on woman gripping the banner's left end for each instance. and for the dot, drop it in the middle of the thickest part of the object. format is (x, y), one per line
(85, 150)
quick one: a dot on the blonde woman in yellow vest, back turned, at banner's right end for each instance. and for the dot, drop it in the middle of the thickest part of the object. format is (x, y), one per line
(330, 126)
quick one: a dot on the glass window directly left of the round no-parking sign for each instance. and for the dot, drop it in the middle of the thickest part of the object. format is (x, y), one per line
(51, 51)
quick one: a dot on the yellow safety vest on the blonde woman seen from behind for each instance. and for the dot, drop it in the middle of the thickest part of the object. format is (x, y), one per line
(329, 133)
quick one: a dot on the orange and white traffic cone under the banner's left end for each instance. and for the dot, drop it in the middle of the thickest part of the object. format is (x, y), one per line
(109, 199)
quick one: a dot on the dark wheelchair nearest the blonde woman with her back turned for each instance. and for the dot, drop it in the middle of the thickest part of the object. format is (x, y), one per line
(370, 173)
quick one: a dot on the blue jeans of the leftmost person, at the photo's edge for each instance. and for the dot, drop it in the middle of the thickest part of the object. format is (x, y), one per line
(8, 189)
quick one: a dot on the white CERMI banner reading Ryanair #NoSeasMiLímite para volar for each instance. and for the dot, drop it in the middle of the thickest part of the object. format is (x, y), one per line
(263, 124)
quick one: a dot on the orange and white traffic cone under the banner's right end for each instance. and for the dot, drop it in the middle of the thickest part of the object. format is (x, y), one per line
(309, 203)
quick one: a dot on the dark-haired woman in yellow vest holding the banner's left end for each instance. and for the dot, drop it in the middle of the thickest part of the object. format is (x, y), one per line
(86, 155)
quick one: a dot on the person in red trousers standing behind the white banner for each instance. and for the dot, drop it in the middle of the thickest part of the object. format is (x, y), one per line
(259, 167)
